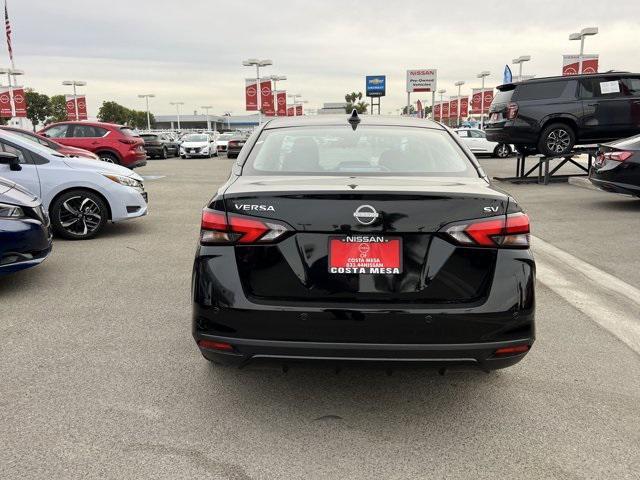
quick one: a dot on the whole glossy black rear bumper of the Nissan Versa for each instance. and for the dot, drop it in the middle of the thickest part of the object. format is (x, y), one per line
(393, 332)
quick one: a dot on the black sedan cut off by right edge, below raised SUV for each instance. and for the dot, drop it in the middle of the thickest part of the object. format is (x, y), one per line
(617, 167)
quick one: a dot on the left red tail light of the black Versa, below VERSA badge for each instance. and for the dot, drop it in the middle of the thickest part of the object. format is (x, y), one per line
(216, 229)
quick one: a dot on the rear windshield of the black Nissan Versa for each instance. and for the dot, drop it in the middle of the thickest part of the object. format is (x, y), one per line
(369, 150)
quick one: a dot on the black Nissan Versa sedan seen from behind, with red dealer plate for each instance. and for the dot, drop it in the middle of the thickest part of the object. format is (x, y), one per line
(347, 239)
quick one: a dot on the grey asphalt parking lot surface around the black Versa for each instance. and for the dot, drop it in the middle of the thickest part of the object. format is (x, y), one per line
(100, 377)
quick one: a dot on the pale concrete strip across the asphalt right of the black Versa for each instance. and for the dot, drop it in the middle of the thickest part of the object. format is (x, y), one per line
(605, 299)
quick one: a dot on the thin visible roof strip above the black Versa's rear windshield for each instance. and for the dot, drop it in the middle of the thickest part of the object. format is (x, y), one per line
(332, 120)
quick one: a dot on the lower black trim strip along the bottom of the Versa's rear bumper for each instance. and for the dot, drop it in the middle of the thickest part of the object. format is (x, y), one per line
(480, 355)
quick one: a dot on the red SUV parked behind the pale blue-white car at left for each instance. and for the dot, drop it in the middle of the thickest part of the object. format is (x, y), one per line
(112, 143)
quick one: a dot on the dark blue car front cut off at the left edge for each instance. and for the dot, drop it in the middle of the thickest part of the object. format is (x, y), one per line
(25, 233)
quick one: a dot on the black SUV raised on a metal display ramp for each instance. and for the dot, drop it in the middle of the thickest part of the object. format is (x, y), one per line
(551, 115)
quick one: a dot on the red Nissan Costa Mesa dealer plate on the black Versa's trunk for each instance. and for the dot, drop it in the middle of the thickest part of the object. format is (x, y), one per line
(365, 255)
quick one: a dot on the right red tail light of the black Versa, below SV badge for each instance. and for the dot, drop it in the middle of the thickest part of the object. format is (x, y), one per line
(510, 231)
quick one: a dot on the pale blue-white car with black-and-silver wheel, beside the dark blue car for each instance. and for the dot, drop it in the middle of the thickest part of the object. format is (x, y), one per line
(81, 195)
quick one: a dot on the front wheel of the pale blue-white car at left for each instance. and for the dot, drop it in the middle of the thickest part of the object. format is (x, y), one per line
(78, 215)
